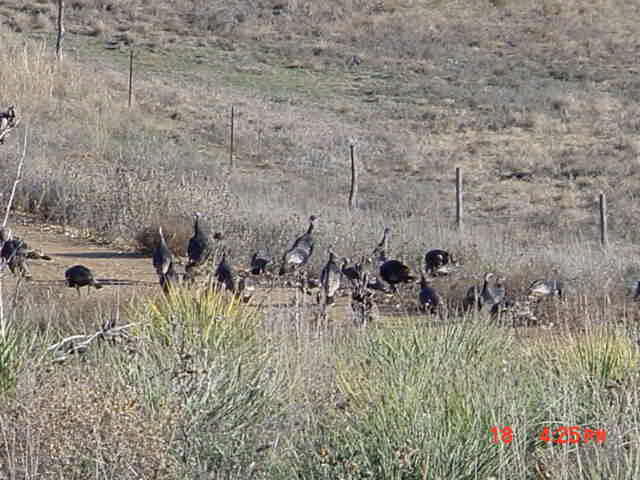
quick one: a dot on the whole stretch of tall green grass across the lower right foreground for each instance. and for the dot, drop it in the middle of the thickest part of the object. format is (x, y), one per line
(421, 403)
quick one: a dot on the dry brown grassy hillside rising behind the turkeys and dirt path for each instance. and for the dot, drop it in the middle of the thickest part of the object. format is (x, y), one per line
(536, 101)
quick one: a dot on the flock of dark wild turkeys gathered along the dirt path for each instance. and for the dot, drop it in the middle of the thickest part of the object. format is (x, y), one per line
(388, 273)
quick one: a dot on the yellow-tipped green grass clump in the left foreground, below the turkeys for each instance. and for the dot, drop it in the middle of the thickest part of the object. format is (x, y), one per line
(209, 375)
